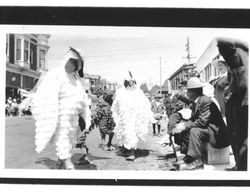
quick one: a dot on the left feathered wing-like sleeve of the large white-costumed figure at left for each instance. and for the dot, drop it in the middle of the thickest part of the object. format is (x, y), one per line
(45, 109)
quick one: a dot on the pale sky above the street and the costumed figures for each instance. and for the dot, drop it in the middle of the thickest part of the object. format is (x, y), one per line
(147, 52)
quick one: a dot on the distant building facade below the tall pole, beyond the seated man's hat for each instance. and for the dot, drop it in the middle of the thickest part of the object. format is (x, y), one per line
(180, 76)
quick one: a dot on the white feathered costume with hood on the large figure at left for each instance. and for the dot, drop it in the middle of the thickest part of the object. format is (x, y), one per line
(56, 105)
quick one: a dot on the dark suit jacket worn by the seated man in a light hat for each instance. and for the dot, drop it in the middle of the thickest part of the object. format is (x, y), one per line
(206, 115)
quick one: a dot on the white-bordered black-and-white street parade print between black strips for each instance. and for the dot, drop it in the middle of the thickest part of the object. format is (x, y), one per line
(124, 102)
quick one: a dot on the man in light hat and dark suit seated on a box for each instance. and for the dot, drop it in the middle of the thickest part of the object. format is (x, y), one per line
(206, 125)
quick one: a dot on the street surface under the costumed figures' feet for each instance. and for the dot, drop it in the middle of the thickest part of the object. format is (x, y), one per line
(20, 151)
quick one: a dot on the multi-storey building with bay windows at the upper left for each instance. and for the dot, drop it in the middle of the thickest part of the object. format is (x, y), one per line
(26, 58)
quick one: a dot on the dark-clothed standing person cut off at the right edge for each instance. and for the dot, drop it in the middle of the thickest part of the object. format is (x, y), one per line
(235, 53)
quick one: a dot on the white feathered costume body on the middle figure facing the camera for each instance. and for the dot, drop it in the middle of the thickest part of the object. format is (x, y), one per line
(132, 115)
